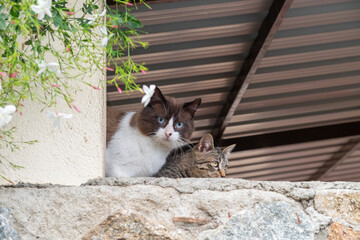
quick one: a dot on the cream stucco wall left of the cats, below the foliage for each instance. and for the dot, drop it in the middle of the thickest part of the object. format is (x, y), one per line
(70, 155)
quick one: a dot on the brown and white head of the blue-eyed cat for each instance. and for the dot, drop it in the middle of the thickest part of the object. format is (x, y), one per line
(168, 121)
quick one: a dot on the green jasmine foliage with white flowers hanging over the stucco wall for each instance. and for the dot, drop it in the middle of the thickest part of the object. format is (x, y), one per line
(74, 39)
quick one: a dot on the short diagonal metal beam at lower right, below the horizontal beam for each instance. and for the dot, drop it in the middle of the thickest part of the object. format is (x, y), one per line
(336, 159)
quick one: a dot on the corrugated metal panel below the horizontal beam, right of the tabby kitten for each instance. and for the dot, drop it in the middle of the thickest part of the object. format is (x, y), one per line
(294, 162)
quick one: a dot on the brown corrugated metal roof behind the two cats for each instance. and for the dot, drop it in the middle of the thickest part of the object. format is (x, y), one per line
(262, 70)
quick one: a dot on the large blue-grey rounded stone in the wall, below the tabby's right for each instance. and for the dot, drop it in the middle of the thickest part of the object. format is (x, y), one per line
(278, 220)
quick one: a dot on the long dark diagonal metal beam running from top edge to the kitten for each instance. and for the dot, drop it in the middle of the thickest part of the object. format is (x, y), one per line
(258, 49)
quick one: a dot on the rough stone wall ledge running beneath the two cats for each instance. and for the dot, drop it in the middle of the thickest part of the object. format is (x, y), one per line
(148, 208)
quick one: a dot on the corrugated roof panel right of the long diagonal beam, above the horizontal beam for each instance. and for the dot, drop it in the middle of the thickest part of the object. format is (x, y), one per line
(310, 75)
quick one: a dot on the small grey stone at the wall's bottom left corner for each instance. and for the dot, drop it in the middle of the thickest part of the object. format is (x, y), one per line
(7, 231)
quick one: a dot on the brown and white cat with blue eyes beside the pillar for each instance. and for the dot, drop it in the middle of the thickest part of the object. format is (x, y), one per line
(139, 142)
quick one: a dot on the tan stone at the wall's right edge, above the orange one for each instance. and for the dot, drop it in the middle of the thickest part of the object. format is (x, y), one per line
(339, 204)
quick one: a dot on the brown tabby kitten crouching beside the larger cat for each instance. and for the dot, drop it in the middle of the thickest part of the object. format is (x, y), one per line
(203, 161)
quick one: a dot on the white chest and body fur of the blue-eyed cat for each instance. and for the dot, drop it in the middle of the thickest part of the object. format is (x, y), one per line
(131, 154)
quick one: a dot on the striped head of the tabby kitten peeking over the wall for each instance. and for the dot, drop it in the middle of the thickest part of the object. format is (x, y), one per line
(210, 161)
